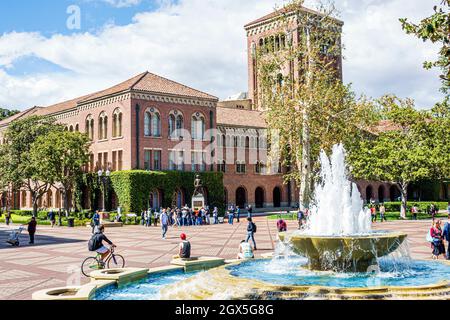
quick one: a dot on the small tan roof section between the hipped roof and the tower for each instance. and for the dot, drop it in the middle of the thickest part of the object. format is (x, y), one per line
(240, 117)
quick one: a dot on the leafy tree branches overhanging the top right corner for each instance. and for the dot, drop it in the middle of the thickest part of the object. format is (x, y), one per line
(436, 29)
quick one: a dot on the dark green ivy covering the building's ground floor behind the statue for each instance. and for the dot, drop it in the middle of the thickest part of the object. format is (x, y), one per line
(133, 187)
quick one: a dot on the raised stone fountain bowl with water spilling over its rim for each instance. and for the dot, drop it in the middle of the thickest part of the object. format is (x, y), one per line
(343, 253)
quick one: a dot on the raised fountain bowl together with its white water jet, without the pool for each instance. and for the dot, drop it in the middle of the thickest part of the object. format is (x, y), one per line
(338, 235)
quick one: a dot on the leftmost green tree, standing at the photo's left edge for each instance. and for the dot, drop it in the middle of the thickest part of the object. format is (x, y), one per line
(17, 169)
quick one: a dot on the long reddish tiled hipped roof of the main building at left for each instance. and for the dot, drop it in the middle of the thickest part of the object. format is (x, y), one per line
(146, 82)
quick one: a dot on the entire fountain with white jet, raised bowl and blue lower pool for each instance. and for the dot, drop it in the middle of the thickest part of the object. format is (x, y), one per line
(336, 256)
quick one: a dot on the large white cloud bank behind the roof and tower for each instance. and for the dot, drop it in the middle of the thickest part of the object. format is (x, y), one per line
(203, 44)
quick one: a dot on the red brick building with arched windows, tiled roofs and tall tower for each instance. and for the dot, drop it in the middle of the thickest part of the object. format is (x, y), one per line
(149, 122)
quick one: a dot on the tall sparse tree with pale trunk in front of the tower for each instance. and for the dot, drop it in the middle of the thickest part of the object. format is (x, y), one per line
(312, 110)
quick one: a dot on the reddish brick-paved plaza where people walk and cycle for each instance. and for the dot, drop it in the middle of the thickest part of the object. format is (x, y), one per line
(56, 257)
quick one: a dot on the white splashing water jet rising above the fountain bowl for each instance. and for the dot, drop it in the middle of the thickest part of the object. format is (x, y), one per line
(339, 209)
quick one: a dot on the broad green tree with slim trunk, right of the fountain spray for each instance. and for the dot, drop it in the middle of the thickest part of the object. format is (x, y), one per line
(413, 148)
